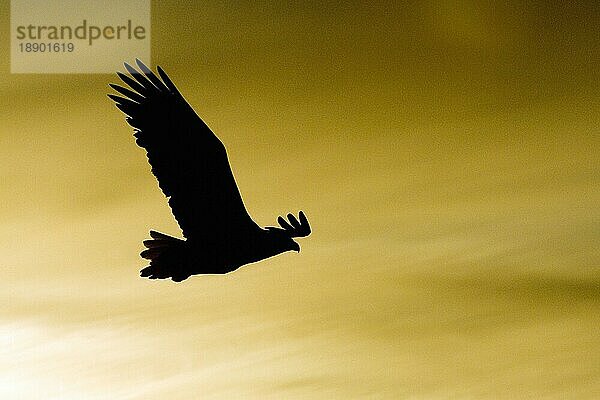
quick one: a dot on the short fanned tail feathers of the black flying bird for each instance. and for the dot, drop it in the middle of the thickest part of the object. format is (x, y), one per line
(166, 254)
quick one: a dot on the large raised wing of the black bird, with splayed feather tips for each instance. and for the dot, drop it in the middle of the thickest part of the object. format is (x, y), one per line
(188, 160)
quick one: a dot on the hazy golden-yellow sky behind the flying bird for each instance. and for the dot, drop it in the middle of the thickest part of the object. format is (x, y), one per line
(446, 154)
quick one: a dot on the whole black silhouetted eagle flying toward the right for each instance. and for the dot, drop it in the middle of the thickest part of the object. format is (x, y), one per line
(191, 166)
